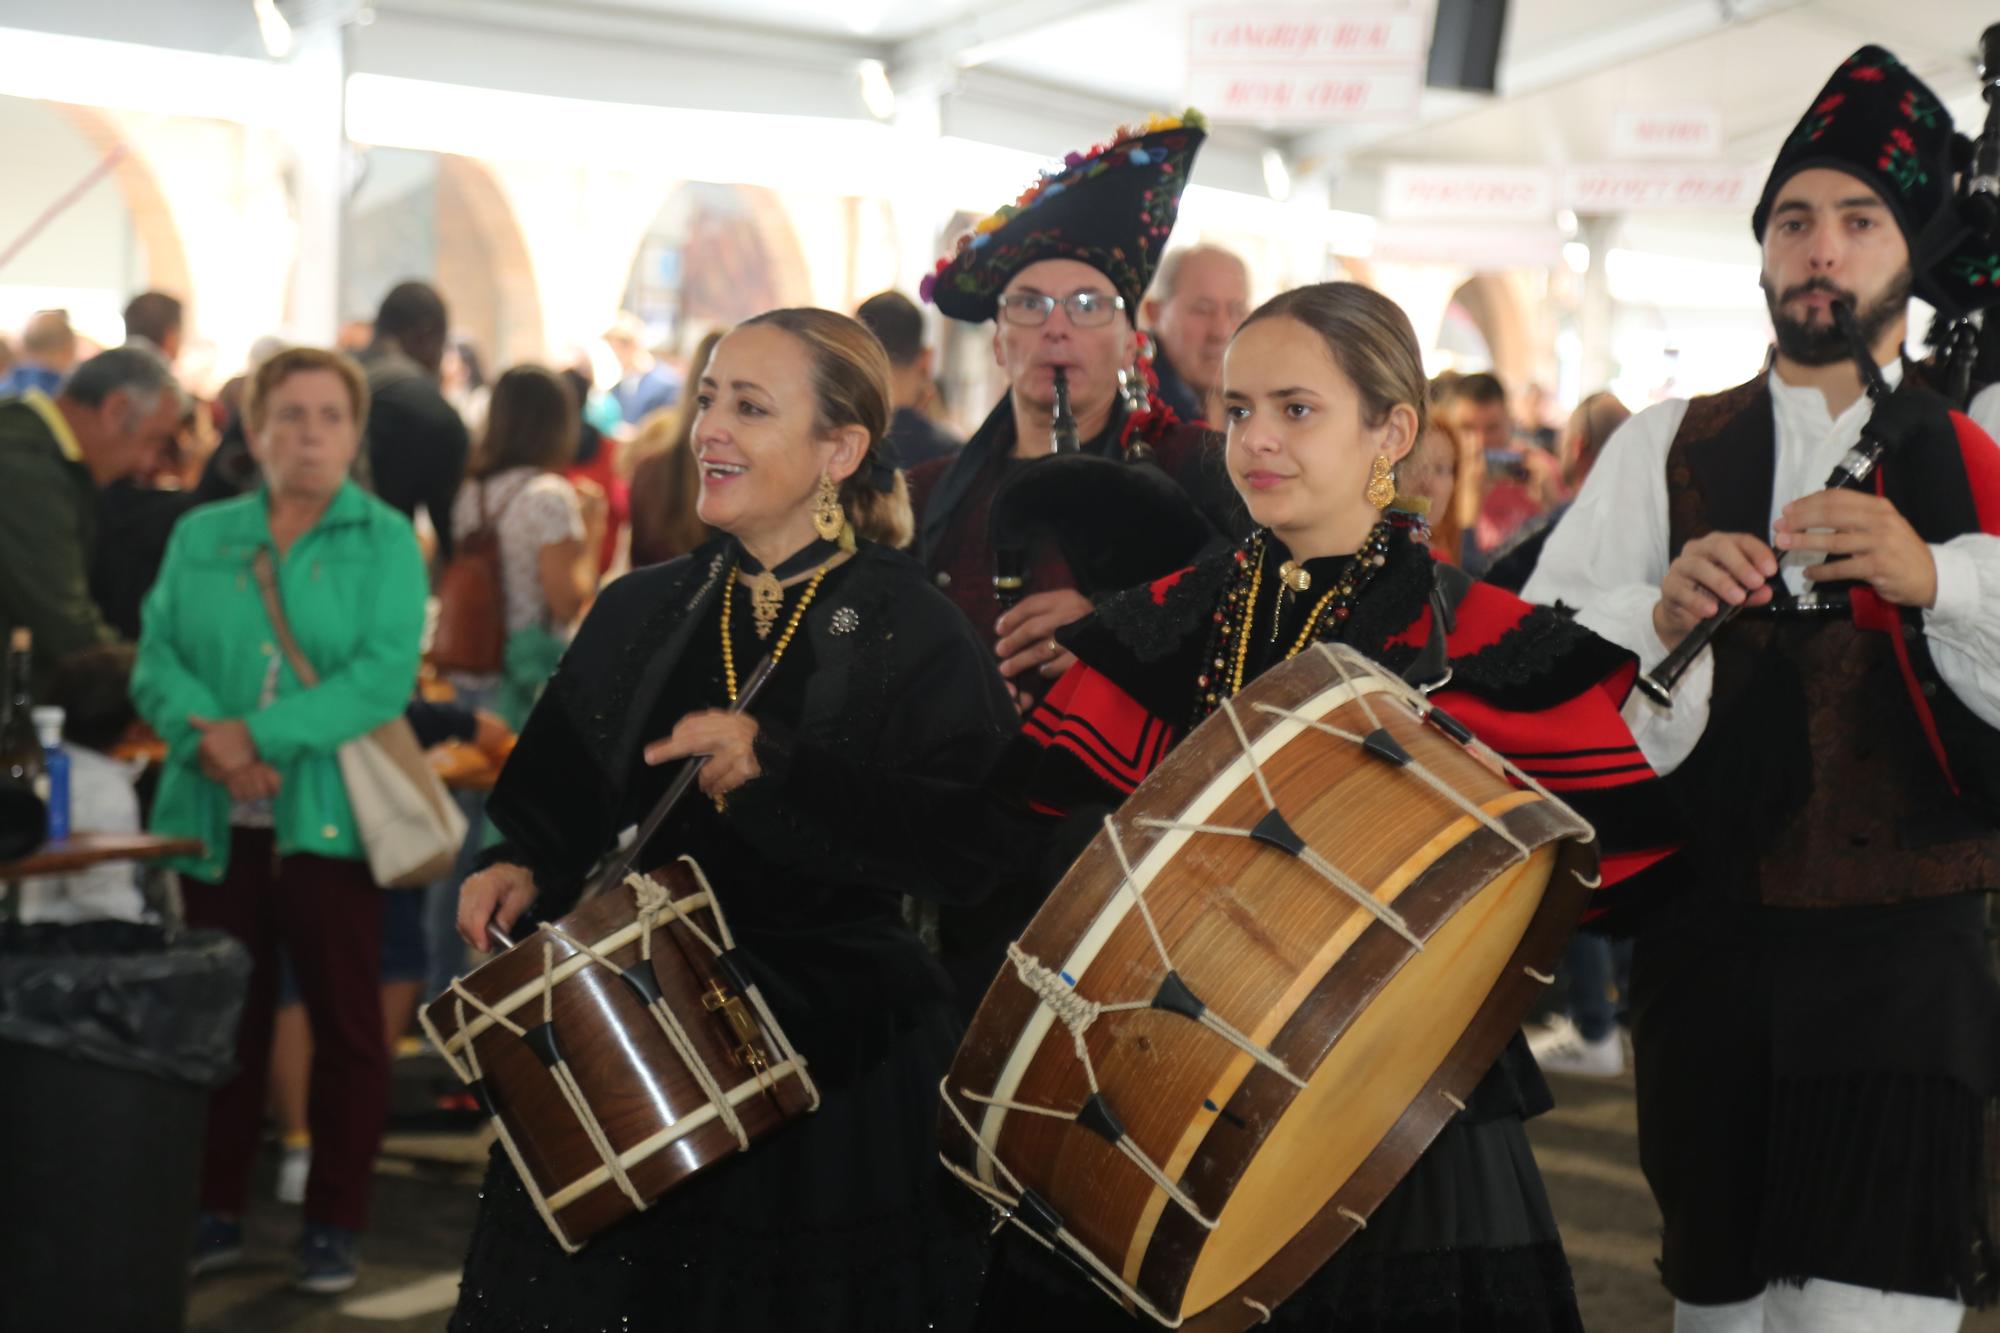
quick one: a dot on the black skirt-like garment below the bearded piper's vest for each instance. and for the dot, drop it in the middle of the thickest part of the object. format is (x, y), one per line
(1817, 1098)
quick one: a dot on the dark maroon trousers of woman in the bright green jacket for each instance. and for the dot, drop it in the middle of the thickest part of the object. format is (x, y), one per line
(327, 918)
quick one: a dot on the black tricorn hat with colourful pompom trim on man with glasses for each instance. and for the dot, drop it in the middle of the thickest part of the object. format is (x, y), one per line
(1111, 209)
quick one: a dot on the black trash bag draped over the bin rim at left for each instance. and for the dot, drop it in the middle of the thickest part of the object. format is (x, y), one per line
(127, 996)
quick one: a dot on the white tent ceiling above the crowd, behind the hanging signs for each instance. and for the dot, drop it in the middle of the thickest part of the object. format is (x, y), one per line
(1051, 75)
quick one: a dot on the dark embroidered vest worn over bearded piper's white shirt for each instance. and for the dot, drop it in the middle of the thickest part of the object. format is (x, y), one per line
(1815, 784)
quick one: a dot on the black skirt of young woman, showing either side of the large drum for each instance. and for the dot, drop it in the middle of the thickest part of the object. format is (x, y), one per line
(1465, 1244)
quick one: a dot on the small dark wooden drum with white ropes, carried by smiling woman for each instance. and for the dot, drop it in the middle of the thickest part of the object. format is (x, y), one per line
(621, 1050)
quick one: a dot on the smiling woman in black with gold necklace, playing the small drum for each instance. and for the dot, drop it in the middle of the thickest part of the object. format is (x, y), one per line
(811, 828)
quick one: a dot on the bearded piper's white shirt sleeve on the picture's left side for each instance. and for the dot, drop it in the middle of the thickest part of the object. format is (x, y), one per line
(1607, 559)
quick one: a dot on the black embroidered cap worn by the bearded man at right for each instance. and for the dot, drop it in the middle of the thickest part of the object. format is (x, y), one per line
(1881, 125)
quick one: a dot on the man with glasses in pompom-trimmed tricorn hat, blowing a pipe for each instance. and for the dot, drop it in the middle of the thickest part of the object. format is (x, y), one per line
(1061, 275)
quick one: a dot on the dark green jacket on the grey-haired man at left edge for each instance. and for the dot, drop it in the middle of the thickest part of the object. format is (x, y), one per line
(49, 523)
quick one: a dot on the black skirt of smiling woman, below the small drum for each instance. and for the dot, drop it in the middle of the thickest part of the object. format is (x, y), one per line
(843, 1222)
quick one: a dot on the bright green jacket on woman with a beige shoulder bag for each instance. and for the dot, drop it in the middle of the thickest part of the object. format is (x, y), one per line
(353, 591)
